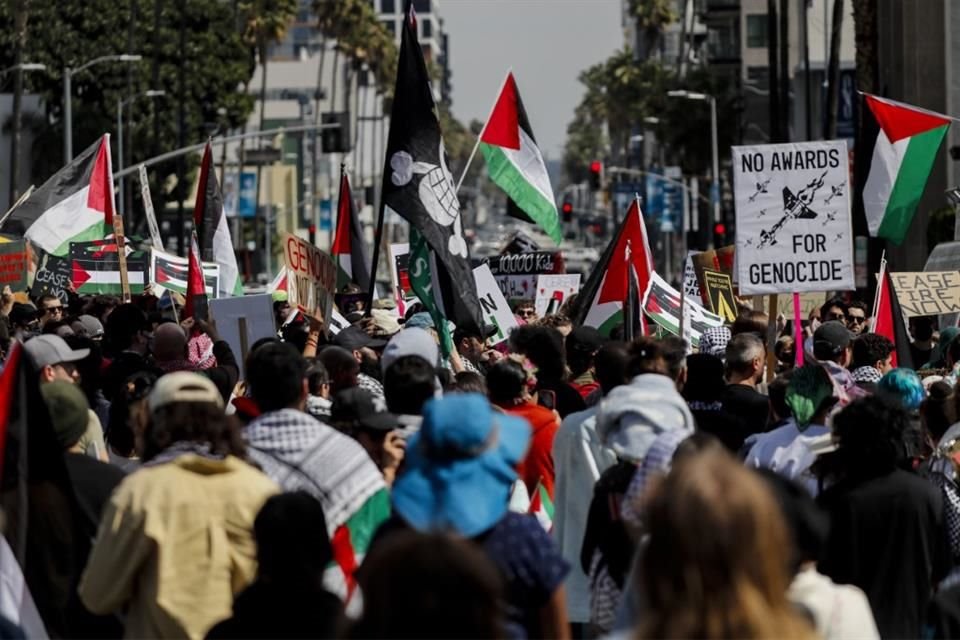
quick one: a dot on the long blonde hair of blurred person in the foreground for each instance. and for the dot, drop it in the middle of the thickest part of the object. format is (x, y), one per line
(717, 561)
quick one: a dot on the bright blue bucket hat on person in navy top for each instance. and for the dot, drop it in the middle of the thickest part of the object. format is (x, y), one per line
(460, 466)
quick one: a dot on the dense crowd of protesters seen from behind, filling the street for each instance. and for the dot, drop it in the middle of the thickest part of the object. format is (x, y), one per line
(557, 484)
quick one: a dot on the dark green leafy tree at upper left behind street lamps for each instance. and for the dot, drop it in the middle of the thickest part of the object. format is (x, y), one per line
(216, 60)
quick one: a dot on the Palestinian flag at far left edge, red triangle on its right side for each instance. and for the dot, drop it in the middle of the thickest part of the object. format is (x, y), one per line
(74, 205)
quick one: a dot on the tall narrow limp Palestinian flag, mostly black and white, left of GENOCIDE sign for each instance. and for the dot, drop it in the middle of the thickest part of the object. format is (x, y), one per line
(213, 232)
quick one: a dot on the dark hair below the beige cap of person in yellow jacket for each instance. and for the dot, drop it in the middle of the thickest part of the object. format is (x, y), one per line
(199, 422)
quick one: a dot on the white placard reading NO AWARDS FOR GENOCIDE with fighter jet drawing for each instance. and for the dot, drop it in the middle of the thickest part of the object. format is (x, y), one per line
(793, 217)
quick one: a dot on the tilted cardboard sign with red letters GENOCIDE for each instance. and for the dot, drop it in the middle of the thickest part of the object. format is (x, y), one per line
(312, 277)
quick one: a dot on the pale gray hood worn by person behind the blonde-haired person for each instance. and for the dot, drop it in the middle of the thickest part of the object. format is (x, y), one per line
(633, 415)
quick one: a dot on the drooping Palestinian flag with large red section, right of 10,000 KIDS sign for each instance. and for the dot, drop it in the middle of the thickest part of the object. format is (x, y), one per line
(602, 298)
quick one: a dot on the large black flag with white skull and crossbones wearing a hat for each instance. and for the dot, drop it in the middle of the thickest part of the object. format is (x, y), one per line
(419, 187)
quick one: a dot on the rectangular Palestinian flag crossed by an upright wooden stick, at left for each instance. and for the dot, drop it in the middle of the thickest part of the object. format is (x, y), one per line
(95, 268)
